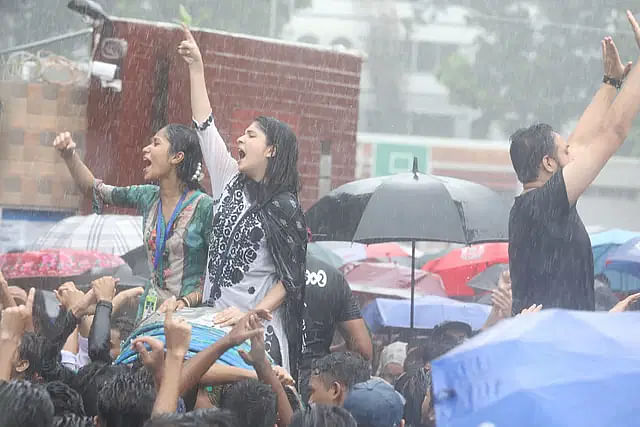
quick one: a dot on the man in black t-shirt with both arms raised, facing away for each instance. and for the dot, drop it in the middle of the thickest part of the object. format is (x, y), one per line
(551, 262)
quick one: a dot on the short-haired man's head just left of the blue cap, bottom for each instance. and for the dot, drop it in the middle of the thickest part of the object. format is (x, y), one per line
(333, 376)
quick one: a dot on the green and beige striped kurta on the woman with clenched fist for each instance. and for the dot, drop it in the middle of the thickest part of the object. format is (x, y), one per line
(180, 271)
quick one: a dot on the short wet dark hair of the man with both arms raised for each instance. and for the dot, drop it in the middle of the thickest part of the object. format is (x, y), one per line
(528, 147)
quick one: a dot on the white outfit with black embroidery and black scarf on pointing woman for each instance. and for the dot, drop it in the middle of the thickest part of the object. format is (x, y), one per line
(259, 238)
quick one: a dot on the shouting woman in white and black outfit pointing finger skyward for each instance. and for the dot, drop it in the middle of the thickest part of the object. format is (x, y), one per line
(258, 247)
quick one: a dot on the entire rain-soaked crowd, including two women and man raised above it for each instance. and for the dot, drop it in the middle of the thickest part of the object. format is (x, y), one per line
(235, 261)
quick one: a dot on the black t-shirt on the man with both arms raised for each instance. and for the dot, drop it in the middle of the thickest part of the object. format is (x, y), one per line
(550, 254)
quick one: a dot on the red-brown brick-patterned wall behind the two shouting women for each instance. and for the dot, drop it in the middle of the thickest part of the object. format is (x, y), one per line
(315, 91)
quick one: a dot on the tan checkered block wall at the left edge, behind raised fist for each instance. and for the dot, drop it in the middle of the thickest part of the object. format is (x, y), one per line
(31, 173)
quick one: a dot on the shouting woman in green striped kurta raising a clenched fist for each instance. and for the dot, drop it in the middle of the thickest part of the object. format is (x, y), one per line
(177, 215)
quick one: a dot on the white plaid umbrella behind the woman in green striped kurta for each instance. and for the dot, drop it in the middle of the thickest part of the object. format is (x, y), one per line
(112, 234)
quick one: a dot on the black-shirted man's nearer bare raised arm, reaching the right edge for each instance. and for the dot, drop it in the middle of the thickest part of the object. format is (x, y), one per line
(604, 142)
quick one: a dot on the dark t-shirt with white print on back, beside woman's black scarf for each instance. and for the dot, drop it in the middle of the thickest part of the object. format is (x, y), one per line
(328, 301)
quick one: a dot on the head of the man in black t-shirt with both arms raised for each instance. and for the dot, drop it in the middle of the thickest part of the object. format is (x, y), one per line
(537, 152)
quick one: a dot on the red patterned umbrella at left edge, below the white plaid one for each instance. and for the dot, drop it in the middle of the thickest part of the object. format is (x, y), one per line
(54, 263)
